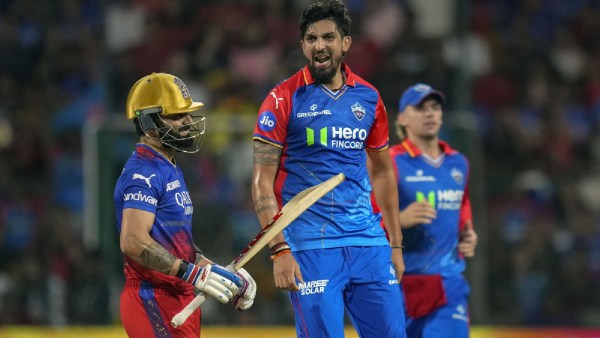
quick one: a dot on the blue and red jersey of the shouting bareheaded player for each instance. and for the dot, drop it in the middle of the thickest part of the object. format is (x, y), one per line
(323, 133)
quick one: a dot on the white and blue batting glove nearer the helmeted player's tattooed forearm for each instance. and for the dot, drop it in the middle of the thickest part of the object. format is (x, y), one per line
(214, 280)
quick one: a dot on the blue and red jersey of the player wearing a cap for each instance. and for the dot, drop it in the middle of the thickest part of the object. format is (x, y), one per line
(433, 248)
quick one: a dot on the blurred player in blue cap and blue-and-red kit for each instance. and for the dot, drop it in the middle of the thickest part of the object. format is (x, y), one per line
(435, 214)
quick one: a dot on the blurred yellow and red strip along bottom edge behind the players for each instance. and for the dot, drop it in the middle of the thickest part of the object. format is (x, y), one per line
(278, 332)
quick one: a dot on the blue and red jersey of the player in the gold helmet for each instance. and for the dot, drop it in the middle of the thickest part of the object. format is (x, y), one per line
(152, 183)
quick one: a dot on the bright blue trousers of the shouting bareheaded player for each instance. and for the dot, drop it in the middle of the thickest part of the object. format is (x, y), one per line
(361, 280)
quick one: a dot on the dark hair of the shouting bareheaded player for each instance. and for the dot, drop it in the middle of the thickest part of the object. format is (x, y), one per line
(334, 10)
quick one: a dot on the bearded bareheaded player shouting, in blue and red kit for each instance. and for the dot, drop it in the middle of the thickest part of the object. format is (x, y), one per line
(321, 121)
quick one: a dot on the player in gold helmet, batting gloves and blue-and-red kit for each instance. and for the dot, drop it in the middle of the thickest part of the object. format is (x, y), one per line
(162, 265)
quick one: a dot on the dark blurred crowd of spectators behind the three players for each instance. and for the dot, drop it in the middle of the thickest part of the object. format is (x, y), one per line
(522, 76)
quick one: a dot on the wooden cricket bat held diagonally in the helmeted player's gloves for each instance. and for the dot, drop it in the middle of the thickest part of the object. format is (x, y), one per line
(290, 211)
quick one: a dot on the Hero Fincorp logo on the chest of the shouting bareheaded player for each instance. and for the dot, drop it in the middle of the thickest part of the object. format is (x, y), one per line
(341, 137)
